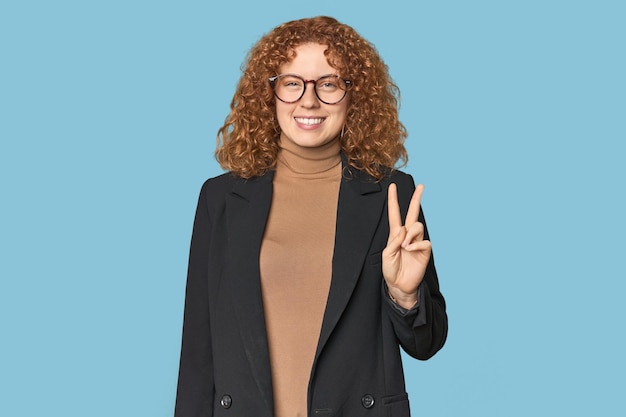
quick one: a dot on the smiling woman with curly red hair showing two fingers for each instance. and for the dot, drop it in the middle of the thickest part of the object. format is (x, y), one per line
(303, 279)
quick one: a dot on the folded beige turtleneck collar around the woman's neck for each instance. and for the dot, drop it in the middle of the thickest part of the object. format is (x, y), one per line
(309, 161)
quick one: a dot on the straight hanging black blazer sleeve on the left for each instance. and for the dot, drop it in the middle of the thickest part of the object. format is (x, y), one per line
(194, 396)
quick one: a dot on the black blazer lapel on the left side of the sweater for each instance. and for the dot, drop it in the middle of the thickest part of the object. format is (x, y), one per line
(247, 211)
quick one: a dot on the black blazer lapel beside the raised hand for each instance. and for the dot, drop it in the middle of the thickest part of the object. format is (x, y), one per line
(361, 203)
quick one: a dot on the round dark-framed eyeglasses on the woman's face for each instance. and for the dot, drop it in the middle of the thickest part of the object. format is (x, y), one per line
(329, 89)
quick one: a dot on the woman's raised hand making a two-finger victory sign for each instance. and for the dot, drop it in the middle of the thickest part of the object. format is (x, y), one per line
(407, 253)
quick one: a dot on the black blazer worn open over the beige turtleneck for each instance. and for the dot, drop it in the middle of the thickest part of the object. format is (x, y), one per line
(357, 370)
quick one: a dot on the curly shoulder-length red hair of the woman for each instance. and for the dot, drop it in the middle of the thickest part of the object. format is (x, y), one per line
(373, 136)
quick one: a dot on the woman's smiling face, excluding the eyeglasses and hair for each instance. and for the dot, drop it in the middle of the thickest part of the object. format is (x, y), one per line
(309, 122)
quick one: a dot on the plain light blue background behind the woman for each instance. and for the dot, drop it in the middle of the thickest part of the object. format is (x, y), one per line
(516, 112)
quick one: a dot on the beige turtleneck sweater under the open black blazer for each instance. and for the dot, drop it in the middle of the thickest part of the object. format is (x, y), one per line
(295, 262)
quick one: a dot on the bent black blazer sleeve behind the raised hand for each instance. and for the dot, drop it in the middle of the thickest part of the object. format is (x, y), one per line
(422, 330)
